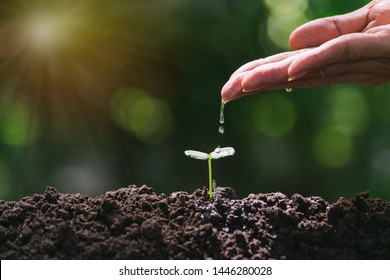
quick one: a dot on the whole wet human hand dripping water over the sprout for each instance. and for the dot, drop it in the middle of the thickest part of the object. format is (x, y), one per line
(349, 48)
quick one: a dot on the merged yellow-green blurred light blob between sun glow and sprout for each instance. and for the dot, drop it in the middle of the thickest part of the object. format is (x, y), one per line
(148, 118)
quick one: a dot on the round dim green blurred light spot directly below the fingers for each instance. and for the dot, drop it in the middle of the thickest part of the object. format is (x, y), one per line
(274, 115)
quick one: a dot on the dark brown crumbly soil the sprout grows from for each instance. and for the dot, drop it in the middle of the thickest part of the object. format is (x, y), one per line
(137, 223)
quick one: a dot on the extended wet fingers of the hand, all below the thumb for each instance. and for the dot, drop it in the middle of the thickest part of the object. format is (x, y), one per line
(332, 62)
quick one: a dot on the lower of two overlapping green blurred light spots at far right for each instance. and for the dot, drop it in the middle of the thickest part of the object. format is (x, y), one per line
(332, 148)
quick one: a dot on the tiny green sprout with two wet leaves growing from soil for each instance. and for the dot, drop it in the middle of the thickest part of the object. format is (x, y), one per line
(216, 154)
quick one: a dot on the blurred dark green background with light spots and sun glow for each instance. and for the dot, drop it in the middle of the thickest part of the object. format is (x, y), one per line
(96, 95)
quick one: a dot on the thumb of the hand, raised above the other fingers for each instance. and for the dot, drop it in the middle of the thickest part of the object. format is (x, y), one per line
(317, 32)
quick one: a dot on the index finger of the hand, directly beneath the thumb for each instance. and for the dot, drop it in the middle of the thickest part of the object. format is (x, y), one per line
(347, 48)
